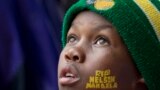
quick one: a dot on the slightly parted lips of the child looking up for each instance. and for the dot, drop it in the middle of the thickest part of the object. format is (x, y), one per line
(68, 75)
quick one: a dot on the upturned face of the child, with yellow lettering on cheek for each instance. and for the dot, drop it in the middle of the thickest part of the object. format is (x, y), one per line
(95, 57)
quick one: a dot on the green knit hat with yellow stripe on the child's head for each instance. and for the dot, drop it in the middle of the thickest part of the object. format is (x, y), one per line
(138, 23)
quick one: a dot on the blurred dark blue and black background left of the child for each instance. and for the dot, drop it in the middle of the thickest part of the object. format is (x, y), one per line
(30, 43)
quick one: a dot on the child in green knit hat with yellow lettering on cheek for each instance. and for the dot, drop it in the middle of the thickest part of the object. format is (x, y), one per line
(111, 45)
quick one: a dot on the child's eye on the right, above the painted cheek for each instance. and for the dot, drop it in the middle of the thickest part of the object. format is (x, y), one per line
(101, 41)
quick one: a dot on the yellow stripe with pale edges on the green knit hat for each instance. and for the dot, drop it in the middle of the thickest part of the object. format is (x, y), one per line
(152, 14)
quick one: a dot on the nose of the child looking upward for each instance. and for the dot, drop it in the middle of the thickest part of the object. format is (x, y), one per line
(75, 54)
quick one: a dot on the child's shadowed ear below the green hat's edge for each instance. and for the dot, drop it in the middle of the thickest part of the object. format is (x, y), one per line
(140, 85)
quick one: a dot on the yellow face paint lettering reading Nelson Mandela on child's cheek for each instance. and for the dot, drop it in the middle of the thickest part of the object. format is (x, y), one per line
(102, 80)
